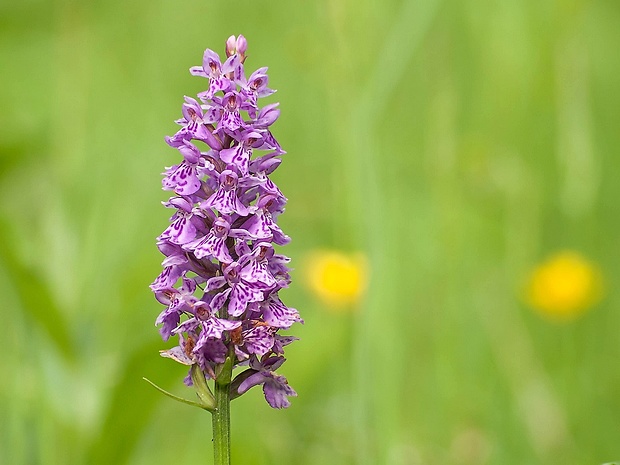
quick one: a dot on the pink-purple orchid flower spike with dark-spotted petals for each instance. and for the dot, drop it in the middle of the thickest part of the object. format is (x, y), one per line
(221, 273)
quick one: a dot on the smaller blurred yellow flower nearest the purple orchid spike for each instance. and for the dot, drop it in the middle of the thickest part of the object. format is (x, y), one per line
(336, 278)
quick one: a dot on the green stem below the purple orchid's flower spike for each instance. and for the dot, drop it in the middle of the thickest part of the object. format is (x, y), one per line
(221, 415)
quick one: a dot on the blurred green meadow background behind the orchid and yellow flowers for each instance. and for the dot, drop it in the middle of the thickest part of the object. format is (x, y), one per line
(455, 143)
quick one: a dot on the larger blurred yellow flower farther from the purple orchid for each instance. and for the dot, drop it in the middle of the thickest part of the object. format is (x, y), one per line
(564, 286)
